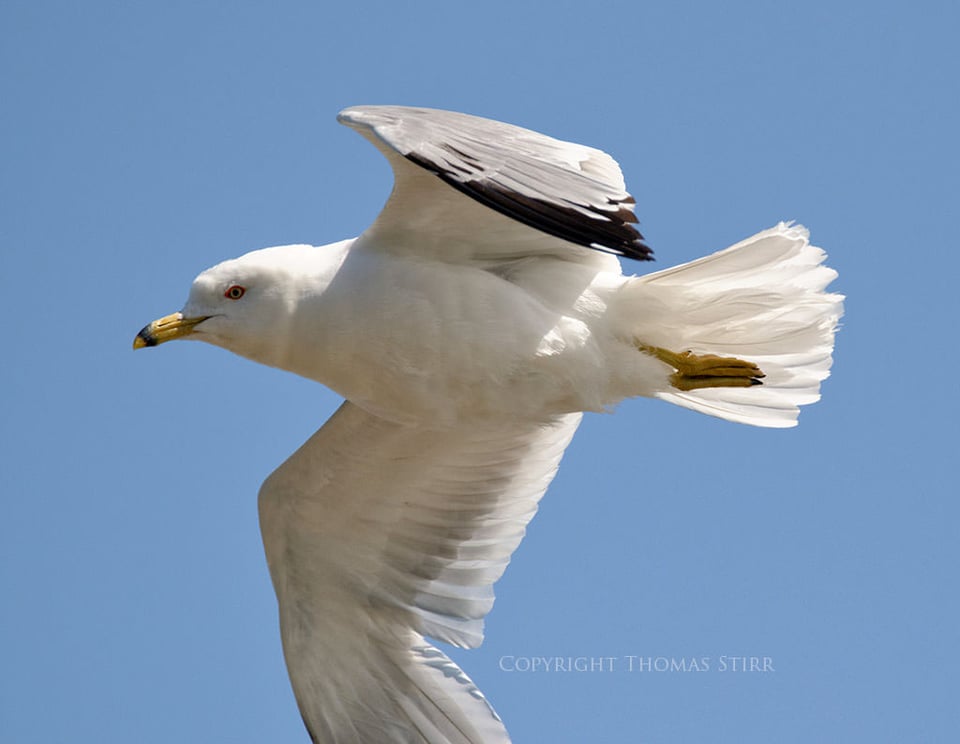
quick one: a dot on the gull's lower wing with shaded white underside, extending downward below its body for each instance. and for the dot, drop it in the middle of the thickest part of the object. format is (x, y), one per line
(377, 534)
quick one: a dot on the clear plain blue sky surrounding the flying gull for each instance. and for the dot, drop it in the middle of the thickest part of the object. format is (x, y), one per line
(144, 142)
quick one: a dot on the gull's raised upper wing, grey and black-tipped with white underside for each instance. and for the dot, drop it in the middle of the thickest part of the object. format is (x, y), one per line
(505, 180)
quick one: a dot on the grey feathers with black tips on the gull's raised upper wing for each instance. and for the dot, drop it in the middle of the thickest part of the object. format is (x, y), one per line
(568, 191)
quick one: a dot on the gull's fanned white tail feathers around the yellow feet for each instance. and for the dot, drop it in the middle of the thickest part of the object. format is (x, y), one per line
(763, 301)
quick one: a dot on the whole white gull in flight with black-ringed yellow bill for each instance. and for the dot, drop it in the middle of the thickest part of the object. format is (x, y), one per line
(467, 329)
